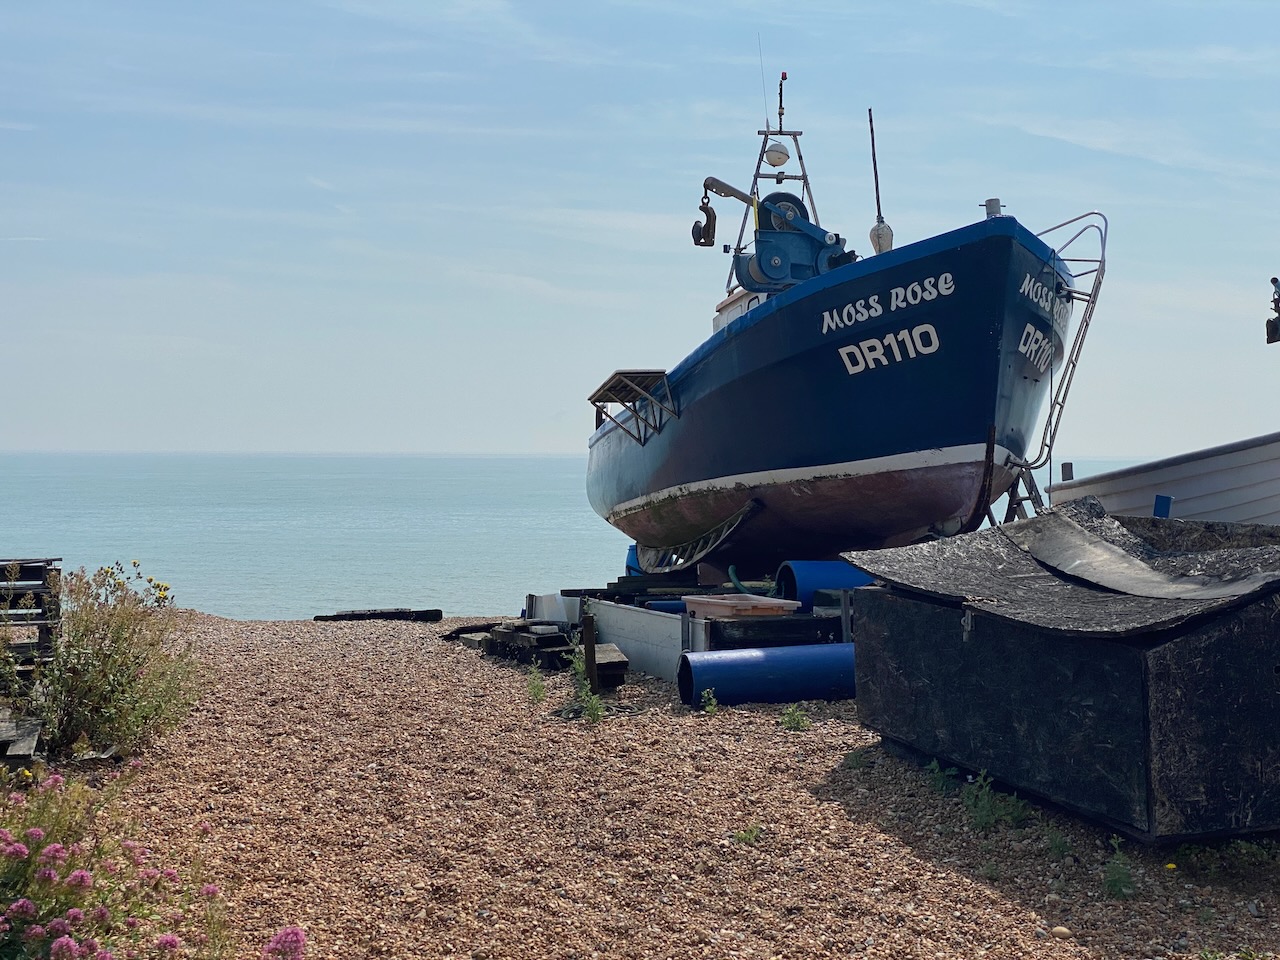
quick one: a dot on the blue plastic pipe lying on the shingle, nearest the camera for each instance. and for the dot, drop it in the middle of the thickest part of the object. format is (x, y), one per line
(769, 675)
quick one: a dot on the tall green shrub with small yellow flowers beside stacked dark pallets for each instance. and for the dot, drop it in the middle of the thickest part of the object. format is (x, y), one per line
(118, 676)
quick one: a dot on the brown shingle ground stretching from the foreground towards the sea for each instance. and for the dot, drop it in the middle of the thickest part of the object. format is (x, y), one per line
(399, 796)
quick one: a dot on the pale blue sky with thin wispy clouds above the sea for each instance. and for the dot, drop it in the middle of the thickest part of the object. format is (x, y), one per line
(437, 226)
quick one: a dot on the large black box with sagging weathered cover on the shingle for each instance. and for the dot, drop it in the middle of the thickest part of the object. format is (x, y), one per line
(1127, 669)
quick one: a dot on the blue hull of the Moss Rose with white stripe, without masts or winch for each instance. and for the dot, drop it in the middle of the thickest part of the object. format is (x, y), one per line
(867, 408)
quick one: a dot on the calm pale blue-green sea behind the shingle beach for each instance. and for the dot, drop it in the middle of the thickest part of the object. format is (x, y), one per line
(290, 537)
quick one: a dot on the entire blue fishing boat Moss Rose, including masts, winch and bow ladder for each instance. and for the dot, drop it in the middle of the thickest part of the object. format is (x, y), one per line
(844, 403)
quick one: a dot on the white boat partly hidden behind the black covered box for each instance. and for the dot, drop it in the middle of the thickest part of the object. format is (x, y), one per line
(1237, 482)
